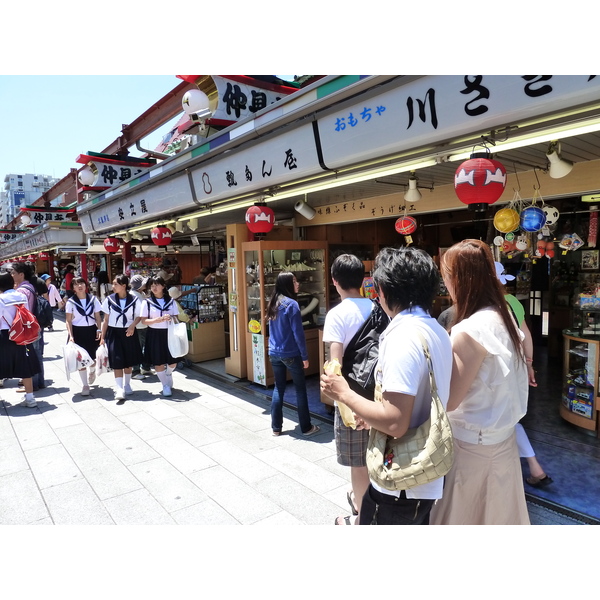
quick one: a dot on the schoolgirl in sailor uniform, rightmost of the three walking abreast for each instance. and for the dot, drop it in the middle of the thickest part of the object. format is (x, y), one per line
(158, 311)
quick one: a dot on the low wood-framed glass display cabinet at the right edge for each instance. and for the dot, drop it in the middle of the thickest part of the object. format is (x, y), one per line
(580, 398)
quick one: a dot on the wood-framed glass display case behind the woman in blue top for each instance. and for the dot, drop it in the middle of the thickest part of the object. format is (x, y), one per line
(263, 261)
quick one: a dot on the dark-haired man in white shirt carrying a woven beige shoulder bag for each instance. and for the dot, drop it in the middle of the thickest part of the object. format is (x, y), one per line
(407, 282)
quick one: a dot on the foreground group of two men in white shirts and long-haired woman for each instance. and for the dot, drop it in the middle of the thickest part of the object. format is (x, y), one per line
(482, 371)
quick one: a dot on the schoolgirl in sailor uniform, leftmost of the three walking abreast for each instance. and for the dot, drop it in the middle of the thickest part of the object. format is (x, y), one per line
(82, 318)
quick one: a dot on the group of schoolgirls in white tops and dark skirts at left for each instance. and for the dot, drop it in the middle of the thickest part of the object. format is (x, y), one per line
(132, 326)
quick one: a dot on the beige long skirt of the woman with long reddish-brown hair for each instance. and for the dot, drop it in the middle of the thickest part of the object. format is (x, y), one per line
(484, 487)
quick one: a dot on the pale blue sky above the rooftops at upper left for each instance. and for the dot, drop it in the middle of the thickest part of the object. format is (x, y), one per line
(46, 121)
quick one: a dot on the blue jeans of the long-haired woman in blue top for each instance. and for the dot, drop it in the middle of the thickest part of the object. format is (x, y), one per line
(280, 366)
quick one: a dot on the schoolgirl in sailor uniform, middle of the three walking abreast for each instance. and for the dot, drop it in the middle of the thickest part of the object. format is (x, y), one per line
(121, 315)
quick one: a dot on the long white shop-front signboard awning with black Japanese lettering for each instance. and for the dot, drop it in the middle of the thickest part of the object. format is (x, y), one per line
(326, 136)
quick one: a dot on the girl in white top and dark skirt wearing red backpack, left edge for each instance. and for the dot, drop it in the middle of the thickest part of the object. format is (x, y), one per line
(15, 361)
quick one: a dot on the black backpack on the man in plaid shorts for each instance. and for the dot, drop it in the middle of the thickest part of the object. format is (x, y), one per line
(362, 353)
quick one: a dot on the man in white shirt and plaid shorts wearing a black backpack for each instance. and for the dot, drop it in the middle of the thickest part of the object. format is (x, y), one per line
(341, 324)
